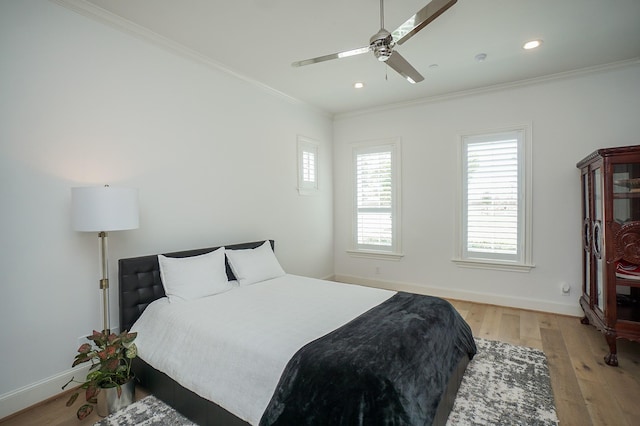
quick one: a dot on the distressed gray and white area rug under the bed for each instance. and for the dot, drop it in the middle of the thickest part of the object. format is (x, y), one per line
(503, 385)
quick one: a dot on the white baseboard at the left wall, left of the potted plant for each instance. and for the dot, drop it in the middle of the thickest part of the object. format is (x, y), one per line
(26, 396)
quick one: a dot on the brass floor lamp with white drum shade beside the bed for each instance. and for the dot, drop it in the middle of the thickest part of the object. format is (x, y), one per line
(102, 209)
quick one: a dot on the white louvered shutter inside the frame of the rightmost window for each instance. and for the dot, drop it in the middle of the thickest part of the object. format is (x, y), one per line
(492, 189)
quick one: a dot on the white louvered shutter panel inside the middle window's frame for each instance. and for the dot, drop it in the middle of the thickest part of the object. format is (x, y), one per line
(374, 198)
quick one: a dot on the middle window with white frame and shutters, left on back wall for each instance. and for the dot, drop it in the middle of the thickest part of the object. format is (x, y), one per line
(376, 170)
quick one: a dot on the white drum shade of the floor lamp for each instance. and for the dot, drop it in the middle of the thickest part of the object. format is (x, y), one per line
(103, 208)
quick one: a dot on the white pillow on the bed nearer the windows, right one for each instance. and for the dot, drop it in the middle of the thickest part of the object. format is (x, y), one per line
(254, 265)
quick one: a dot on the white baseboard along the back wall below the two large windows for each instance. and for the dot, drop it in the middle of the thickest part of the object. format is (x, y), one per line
(491, 299)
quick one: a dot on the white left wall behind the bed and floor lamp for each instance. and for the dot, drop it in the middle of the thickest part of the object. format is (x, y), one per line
(213, 157)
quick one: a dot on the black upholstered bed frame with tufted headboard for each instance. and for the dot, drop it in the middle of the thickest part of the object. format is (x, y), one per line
(140, 284)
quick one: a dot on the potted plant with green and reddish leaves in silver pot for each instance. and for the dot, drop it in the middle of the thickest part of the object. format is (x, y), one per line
(110, 356)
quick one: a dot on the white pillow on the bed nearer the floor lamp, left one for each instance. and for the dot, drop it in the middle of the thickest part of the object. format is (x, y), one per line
(188, 278)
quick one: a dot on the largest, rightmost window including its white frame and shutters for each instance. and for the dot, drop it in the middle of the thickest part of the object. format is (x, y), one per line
(495, 202)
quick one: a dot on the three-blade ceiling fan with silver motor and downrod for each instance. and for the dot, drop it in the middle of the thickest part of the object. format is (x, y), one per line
(383, 42)
